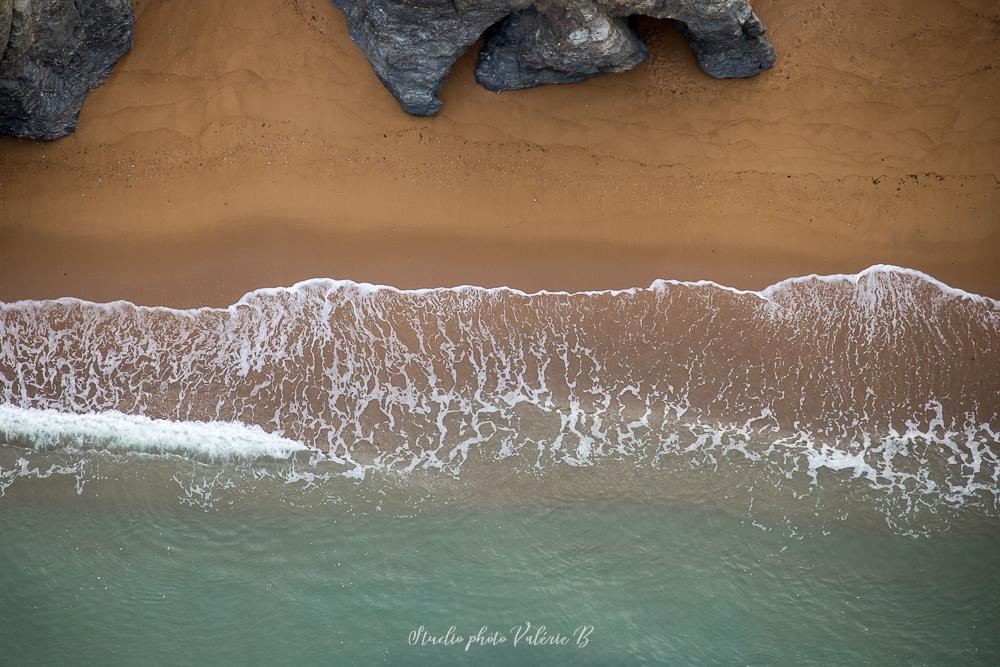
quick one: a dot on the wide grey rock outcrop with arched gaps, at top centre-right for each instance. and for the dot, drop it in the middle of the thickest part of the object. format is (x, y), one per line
(412, 44)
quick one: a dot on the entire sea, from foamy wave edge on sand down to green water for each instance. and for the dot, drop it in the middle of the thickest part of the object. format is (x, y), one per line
(348, 474)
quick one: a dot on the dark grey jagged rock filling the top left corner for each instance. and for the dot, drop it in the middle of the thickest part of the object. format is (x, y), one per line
(53, 53)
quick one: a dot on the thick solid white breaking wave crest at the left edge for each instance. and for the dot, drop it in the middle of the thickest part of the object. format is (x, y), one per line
(115, 431)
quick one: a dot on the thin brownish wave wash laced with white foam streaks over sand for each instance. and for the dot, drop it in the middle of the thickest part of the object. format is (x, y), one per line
(888, 374)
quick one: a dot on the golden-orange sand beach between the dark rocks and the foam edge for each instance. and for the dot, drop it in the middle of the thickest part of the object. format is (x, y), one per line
(247, 143)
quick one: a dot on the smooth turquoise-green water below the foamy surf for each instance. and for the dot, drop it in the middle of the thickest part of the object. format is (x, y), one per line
(137, 576)
